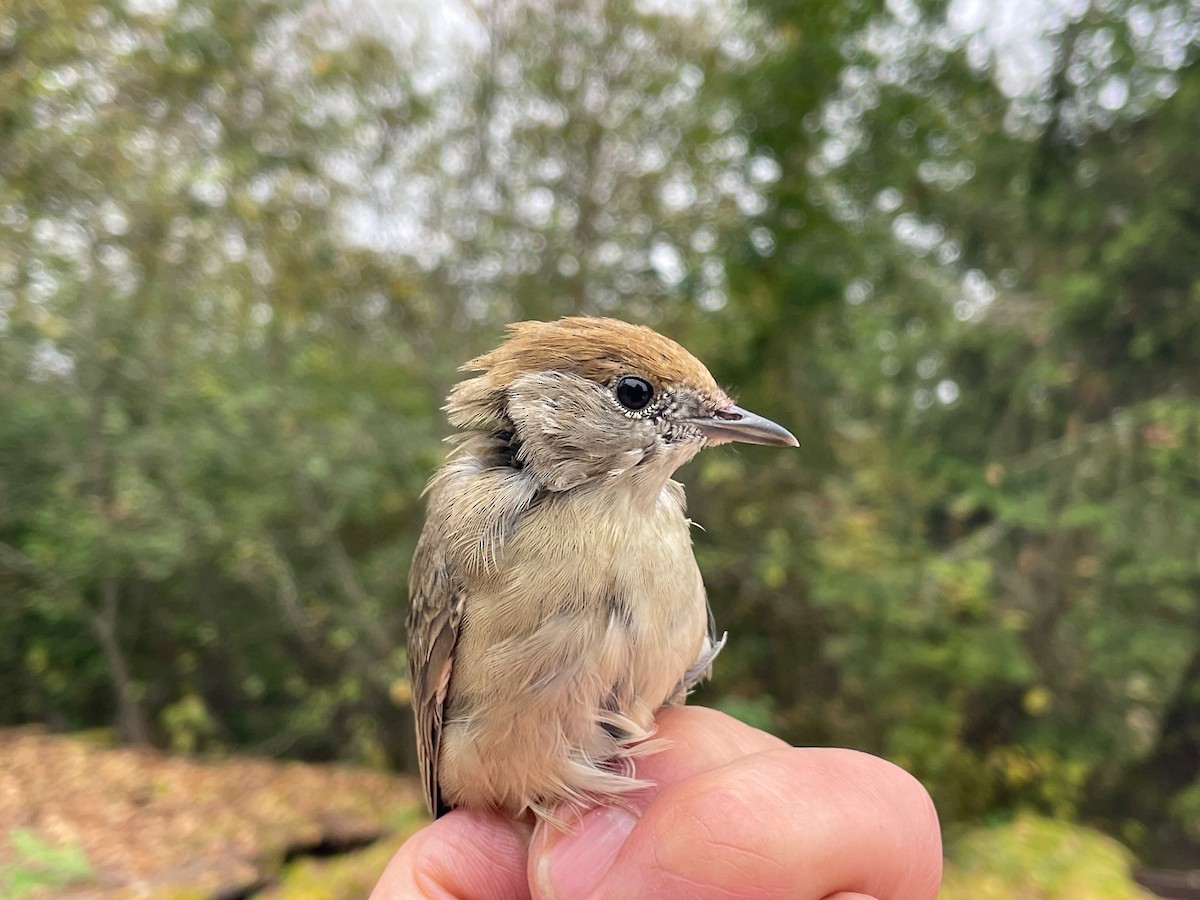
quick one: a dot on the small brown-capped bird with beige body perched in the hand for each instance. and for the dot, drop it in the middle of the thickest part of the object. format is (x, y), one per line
(556, 602)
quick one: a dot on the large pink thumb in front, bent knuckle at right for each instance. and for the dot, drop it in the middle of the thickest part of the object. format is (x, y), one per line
(796, 824)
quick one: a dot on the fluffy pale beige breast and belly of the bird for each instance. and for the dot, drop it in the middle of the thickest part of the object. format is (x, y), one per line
(583, 629)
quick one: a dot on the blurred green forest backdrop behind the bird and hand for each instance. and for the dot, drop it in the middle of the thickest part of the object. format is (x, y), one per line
(952, 247)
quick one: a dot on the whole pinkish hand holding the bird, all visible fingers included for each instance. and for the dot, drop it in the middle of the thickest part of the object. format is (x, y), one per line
(735, 813)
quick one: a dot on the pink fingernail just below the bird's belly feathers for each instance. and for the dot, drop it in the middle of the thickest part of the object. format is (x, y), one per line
(573, 865)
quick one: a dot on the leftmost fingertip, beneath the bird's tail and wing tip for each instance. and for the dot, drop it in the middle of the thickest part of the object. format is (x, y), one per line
(463, 856)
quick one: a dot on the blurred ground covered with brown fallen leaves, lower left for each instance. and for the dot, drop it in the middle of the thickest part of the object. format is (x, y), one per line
(158, 826)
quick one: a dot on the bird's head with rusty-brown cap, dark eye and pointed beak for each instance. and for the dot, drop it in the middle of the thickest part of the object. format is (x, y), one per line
(590, 400)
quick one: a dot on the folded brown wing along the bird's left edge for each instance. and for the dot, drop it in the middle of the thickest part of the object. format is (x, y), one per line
(434, 620)
